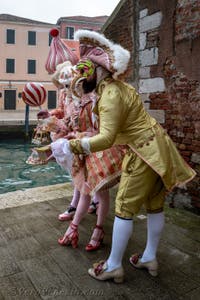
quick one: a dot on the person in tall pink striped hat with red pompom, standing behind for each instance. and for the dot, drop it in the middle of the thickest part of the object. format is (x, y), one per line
(59, 61)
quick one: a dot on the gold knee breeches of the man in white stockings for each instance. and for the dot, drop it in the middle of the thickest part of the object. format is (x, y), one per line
(139, 185)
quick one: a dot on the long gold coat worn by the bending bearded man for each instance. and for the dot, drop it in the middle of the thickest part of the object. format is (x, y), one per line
(123, 120)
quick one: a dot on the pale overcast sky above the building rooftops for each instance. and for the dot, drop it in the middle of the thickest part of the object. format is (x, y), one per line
(51, 10)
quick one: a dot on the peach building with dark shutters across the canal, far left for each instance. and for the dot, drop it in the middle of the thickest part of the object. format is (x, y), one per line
(25, 45)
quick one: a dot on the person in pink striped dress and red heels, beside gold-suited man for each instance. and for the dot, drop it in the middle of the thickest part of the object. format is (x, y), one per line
(90, 176)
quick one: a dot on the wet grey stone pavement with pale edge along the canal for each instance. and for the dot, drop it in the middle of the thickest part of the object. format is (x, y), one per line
(34, 266)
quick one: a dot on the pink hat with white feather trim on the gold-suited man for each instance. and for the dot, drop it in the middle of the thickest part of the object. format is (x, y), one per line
(103, 52)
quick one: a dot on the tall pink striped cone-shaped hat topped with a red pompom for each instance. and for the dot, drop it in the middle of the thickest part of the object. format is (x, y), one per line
(59, 52)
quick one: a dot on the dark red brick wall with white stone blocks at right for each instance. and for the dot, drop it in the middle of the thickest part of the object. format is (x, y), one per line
(165, 68)
